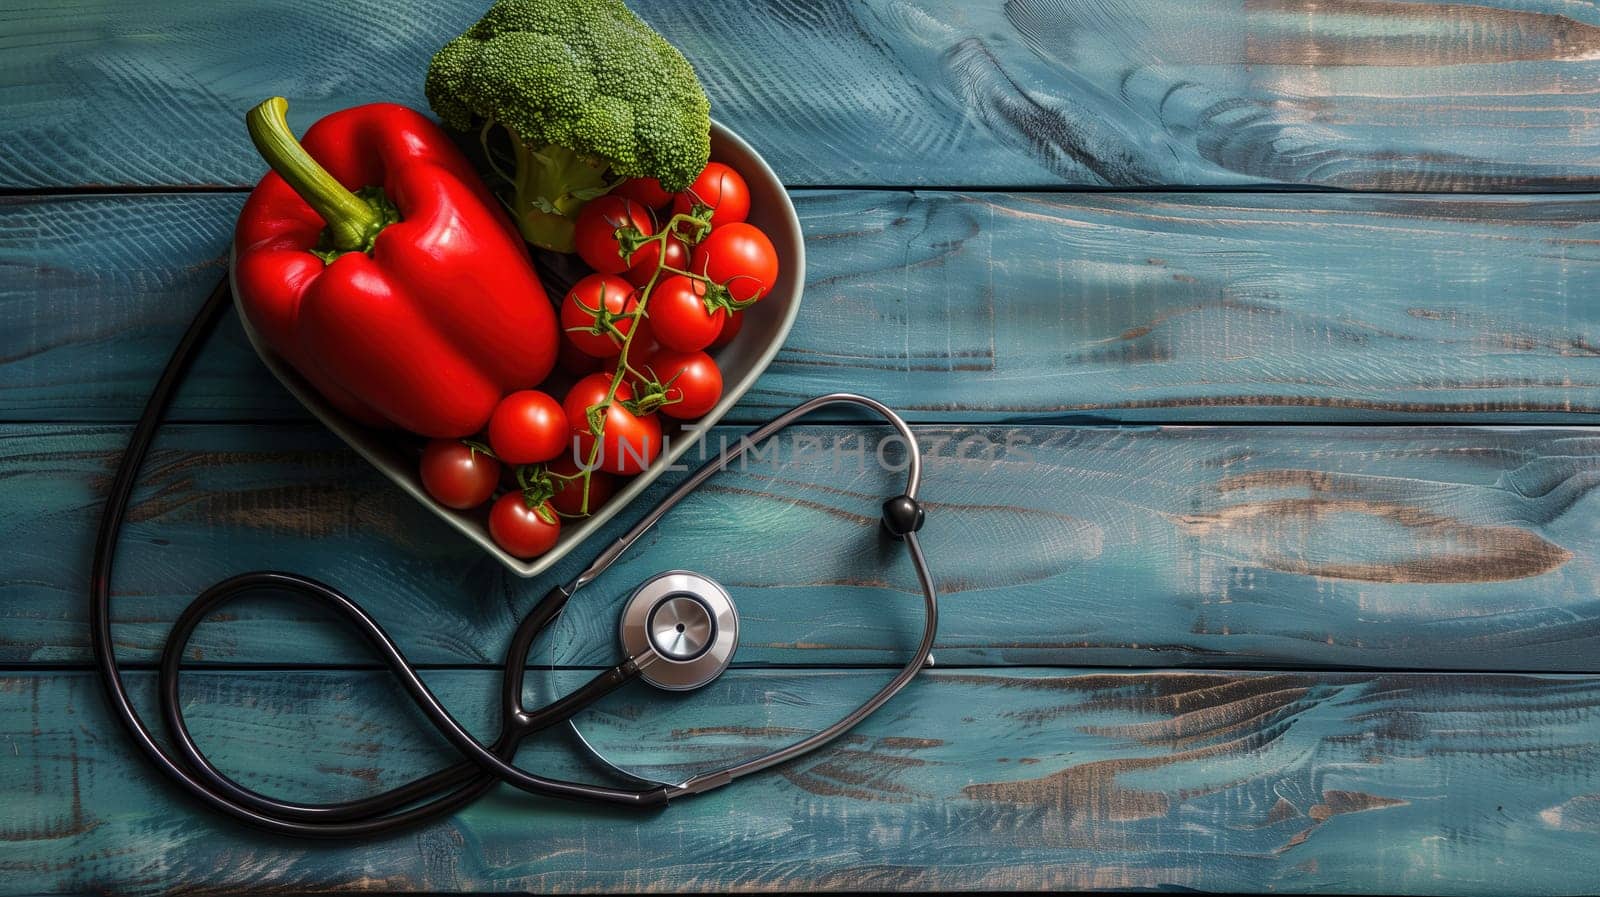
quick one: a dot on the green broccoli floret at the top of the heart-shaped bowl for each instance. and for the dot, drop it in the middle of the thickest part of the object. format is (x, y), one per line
(590, 95)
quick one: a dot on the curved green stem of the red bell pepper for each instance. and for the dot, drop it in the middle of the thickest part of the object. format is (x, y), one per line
(353, 223)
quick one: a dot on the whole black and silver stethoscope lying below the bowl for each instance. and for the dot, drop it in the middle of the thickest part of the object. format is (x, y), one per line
(679, 632)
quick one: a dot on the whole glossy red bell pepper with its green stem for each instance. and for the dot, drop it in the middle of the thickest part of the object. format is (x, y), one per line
(407, 303)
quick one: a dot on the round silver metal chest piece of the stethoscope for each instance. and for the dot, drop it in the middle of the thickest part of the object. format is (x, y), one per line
(681, 629)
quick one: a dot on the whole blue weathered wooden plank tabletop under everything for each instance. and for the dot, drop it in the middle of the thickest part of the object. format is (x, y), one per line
(1255, 351)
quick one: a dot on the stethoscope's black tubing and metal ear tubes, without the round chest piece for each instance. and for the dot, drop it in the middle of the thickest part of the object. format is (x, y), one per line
(484, 767)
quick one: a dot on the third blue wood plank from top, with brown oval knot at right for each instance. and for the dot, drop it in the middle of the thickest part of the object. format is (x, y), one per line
(1233, 546)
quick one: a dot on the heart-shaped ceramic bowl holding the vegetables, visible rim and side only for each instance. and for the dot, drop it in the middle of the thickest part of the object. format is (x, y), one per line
(766, 329)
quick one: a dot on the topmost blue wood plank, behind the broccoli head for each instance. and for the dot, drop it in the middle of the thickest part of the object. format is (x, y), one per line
(1490, 95)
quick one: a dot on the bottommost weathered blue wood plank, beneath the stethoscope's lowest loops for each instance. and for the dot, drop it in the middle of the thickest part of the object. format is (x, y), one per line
(1239, 783)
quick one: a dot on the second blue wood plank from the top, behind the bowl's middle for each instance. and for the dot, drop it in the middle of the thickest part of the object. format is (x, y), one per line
(964, 306)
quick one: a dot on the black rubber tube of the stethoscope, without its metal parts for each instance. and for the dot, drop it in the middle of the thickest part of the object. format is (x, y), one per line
(449, 789)
